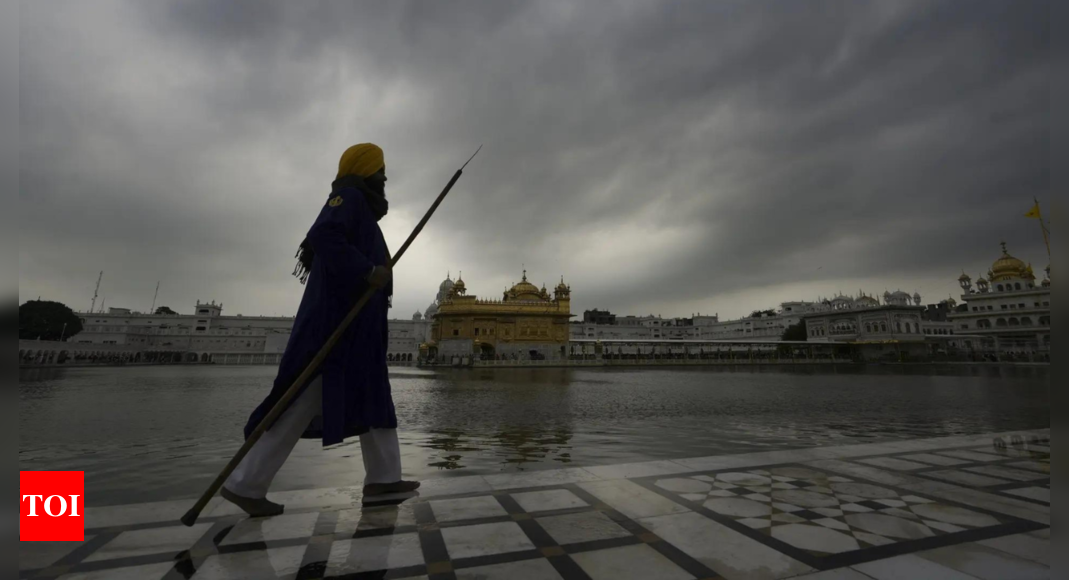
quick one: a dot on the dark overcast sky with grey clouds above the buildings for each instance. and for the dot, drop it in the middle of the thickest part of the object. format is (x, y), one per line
(664, 158)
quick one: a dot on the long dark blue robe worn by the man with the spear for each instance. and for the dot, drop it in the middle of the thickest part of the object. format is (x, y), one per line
(357, 388)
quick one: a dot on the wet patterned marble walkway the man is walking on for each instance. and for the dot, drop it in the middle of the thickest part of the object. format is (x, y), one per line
(947, 509)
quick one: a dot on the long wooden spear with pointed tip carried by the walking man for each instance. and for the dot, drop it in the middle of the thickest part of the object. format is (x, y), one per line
(276, 412)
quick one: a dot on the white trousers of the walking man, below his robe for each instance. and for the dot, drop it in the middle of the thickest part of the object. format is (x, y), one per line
(380, 448)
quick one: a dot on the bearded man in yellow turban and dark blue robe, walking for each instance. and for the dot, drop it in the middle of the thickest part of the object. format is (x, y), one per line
(344, 255)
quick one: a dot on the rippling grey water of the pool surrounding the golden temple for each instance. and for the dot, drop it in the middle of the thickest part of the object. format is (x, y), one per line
(148, 434)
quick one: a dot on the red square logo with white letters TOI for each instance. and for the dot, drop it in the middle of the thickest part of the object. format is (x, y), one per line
(53, 506)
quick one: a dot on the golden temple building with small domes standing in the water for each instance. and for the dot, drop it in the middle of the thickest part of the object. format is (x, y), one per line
(528, 322)
